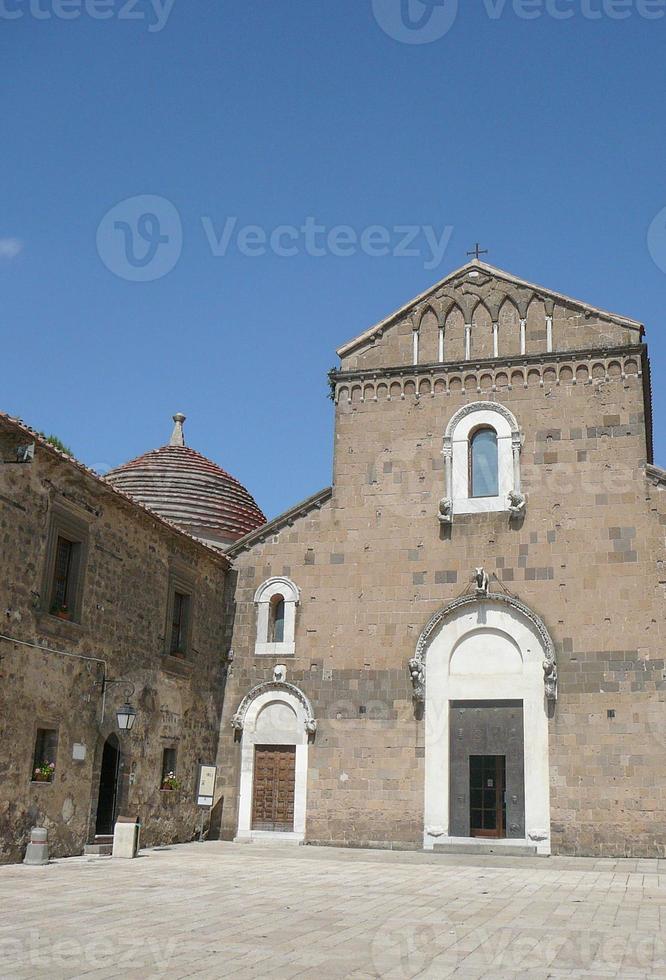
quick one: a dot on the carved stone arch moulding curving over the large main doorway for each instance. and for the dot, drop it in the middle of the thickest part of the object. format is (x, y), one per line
(418, 663)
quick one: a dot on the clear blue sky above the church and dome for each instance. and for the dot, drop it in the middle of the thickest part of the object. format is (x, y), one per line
(544, 138)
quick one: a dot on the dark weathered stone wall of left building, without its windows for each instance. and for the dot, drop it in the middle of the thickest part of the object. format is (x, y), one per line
(123, 623)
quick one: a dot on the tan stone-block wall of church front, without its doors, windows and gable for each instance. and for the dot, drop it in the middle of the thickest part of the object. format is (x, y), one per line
(374, 564)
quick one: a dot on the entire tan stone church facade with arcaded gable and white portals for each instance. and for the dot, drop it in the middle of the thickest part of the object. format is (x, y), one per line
(461, 640)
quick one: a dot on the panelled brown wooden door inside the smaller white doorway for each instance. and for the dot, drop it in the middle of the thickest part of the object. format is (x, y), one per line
(273, 789)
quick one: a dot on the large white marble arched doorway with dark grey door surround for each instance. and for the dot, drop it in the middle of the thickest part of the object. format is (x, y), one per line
(489, 670)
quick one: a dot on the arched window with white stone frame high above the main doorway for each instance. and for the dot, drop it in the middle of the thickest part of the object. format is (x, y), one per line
(482, 462)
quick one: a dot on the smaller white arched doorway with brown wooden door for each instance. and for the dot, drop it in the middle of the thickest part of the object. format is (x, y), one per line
(276, 722)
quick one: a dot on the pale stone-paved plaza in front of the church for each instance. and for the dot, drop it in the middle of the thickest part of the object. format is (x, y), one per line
(227, 910)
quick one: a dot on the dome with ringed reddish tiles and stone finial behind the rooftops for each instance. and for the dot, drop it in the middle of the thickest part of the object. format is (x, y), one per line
(184, 487)
